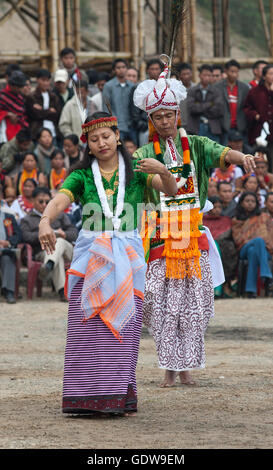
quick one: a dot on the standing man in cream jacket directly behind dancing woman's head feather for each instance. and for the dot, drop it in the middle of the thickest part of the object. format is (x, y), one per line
(70, 120)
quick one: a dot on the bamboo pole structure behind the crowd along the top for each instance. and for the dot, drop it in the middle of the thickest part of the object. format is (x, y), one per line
(58, 25)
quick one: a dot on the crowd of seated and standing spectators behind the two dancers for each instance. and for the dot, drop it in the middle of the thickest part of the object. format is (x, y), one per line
(40, 126)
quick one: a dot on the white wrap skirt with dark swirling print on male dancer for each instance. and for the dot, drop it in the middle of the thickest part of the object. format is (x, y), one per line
(177, 313)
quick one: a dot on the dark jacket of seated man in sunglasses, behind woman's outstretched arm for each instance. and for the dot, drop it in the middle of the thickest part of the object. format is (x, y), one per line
(30, 229)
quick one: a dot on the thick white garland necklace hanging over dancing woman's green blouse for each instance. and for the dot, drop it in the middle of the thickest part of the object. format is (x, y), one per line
(102, 195)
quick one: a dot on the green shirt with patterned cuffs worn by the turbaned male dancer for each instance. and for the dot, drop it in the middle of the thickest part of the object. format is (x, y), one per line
(204, 153)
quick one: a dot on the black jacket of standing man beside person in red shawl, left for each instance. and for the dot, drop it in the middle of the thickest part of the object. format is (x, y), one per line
(37, 116)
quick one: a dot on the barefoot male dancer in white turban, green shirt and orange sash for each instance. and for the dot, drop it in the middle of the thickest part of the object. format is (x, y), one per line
(179, 297)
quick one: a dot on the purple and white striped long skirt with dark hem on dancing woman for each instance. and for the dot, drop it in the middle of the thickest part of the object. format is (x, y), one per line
(99, 371)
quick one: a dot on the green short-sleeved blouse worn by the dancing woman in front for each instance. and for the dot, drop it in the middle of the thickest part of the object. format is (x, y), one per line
(80, 186)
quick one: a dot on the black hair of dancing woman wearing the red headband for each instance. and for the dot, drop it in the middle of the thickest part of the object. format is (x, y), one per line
(88, 158)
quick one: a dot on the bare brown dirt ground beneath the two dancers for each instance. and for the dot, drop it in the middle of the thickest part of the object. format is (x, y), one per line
(231, 407)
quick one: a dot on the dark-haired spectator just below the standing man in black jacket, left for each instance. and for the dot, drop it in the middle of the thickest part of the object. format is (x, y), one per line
(44, 149)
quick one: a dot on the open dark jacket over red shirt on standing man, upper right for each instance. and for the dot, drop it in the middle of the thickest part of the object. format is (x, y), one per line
(243, 90)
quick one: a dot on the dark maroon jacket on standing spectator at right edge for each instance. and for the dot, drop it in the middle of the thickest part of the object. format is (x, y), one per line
(259, 101)
